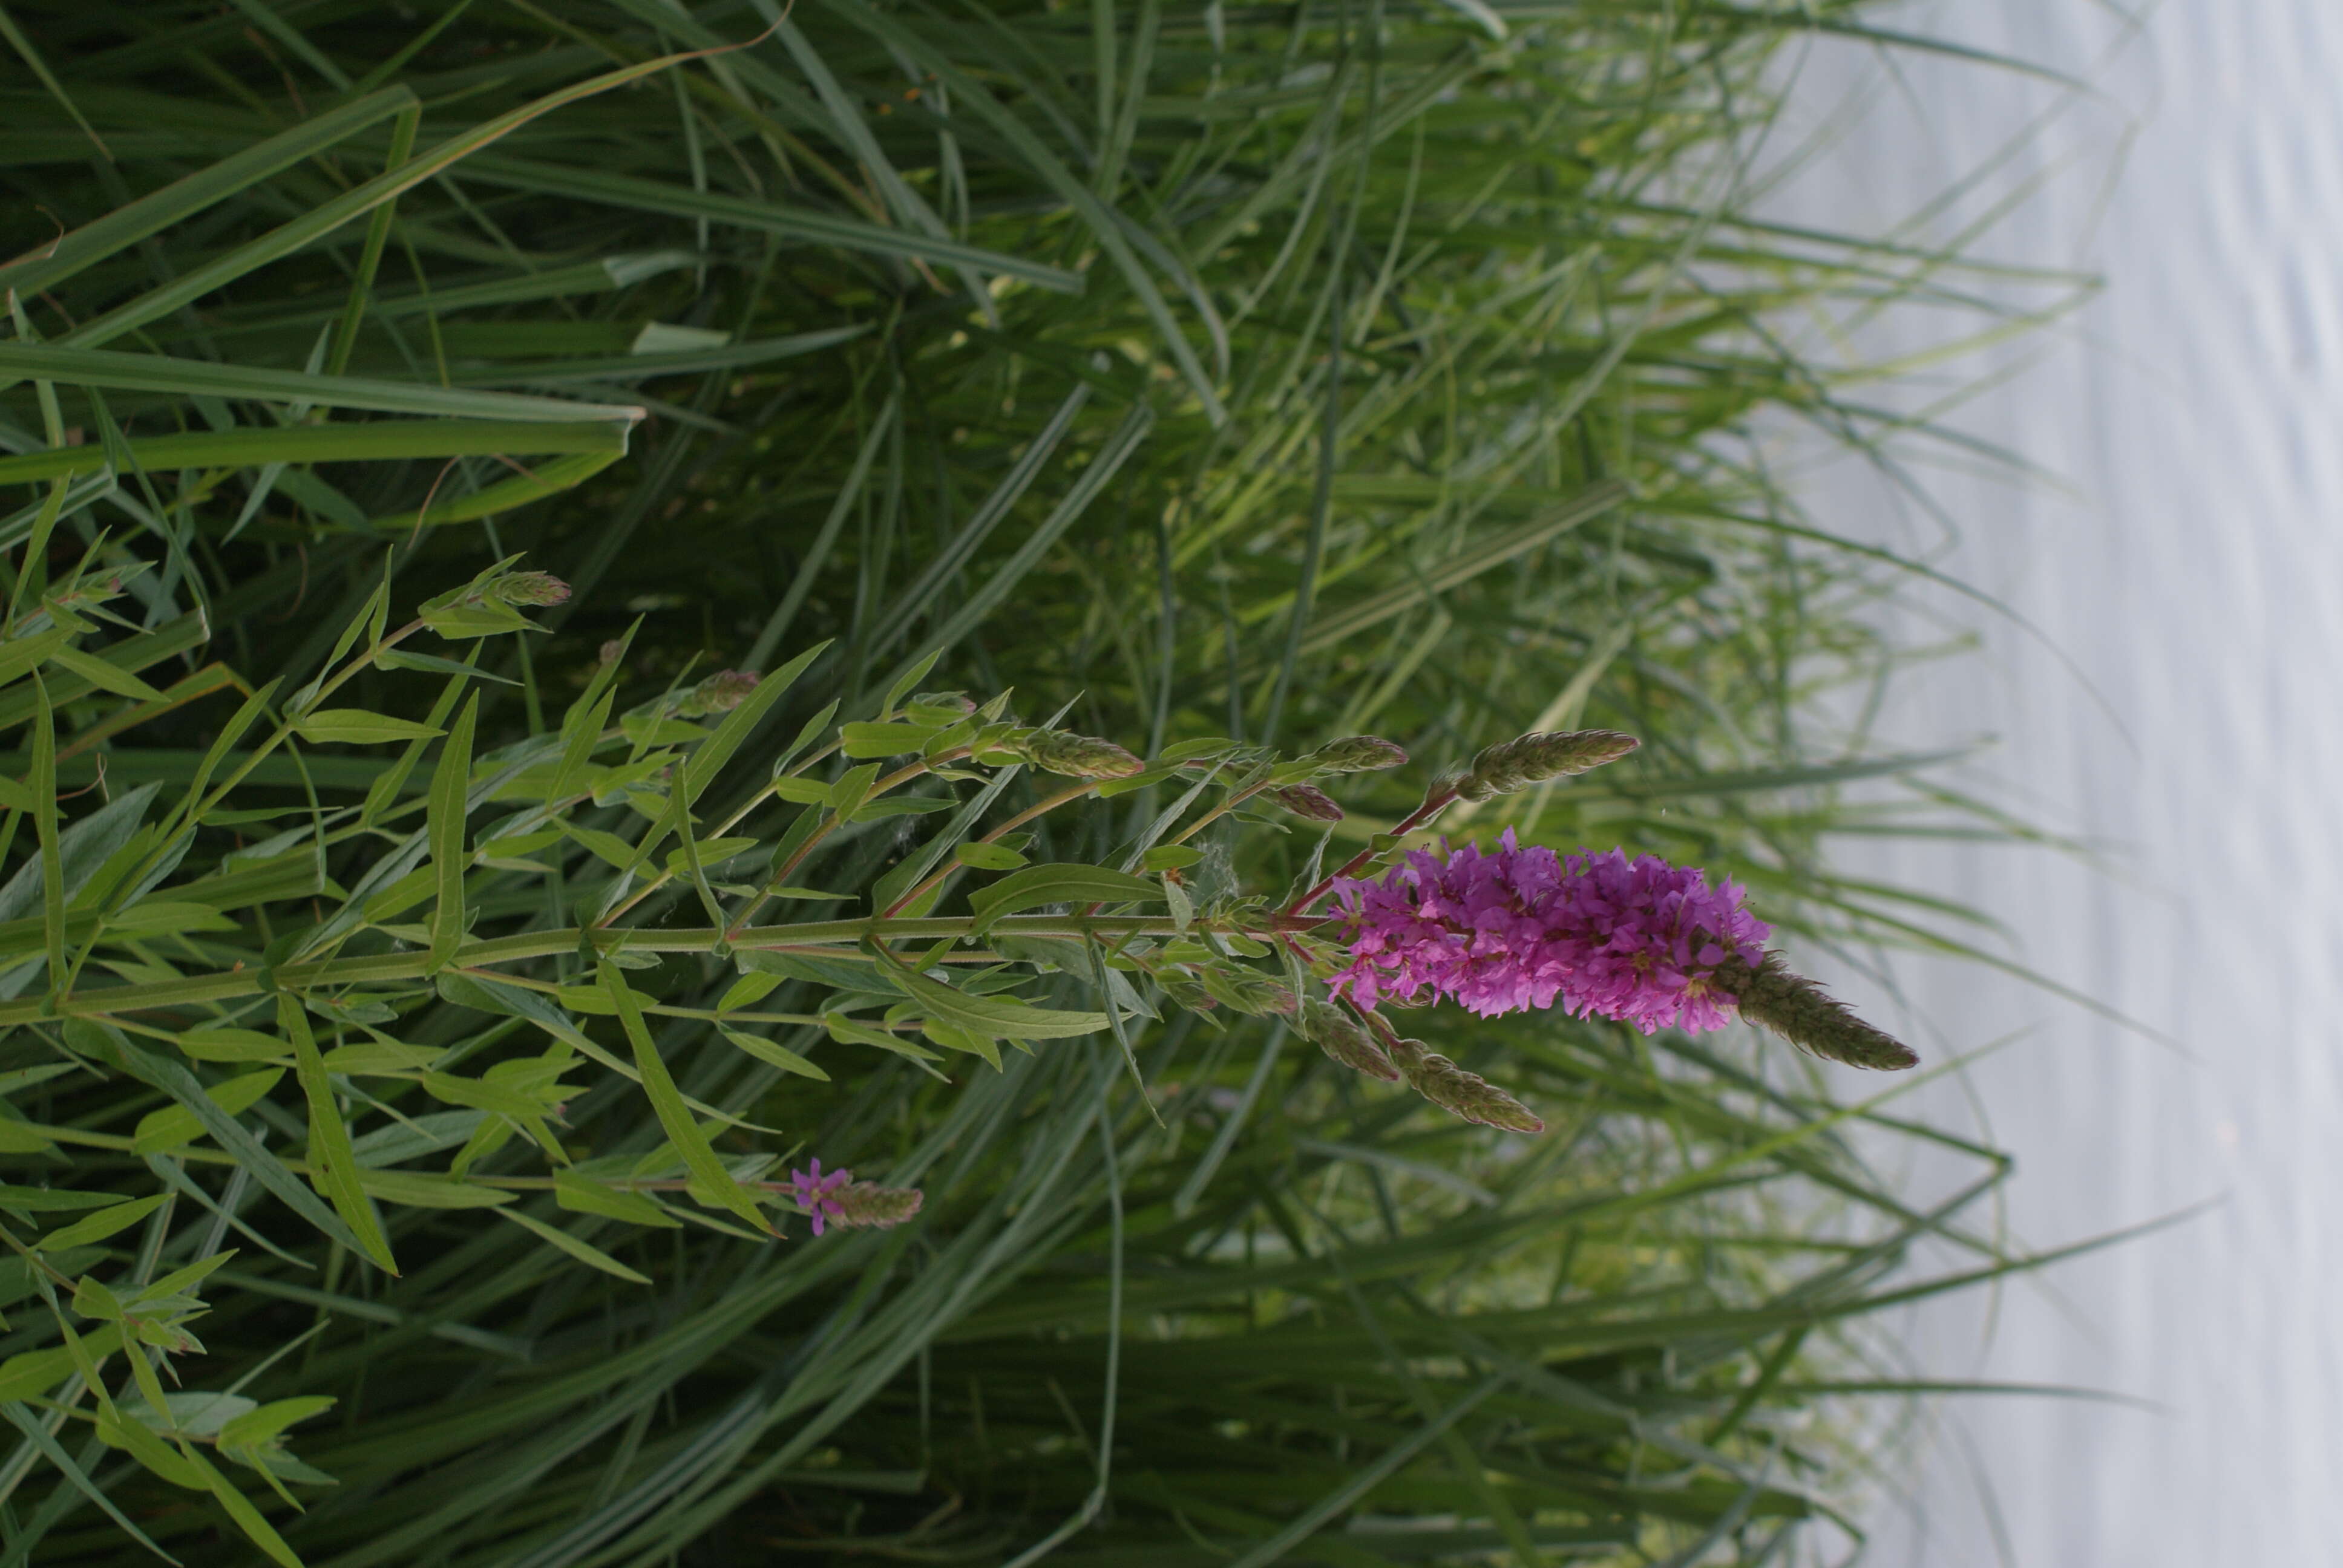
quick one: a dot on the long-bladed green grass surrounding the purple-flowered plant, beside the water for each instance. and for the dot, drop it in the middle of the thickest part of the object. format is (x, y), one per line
(1257, 371)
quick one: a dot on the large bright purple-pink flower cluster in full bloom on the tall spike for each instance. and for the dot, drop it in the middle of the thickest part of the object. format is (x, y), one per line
(1526, 929)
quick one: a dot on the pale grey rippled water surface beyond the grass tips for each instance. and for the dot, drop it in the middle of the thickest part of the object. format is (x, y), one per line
(2197, 587)
